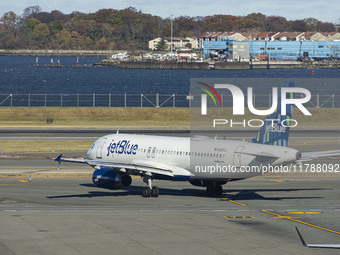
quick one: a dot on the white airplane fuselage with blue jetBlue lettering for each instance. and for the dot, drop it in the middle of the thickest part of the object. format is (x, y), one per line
(200, 158)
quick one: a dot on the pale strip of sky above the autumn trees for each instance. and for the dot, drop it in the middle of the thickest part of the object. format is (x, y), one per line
(326, 11)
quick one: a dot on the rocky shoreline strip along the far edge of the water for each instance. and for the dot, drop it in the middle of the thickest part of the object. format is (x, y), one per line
(206, 65)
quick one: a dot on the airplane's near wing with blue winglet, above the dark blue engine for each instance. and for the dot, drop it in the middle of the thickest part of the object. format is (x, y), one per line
(138, 165)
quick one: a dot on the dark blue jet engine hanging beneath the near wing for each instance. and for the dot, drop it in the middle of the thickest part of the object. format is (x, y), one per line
(110, 179)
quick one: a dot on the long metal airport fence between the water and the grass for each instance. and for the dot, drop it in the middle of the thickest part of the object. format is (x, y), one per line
(140, 100)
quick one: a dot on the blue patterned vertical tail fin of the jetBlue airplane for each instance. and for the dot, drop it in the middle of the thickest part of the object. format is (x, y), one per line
(272, 132)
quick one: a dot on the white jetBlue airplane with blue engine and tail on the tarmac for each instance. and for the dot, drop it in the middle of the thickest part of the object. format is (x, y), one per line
(203, 161)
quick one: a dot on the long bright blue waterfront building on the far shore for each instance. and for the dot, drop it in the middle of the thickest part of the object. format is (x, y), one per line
(276, 45)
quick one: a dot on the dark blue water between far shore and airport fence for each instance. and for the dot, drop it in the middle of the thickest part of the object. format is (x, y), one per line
(19, 75)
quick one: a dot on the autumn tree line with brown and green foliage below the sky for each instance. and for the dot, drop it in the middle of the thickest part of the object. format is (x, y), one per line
(129, 29)
